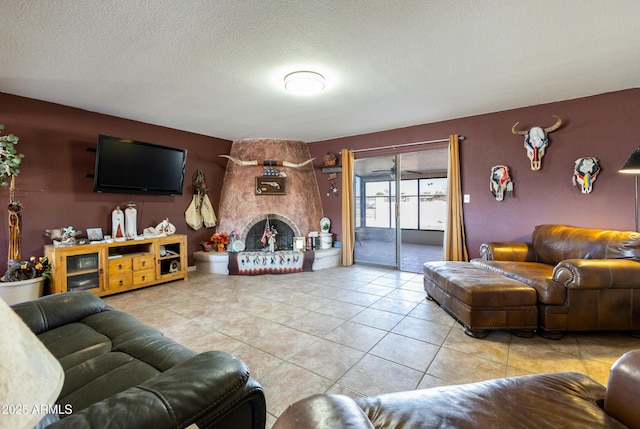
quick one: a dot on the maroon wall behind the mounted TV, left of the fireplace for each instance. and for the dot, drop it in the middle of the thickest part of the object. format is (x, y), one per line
(53, 186)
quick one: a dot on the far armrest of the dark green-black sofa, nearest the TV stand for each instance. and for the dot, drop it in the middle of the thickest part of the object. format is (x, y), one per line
(52, 311)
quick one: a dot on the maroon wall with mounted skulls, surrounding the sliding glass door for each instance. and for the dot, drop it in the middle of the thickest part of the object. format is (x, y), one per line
(604, 126)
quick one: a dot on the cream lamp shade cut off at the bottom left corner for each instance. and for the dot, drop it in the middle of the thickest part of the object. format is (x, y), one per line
(30, 376)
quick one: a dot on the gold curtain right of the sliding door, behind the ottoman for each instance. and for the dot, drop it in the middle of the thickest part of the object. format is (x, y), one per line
(455, 247)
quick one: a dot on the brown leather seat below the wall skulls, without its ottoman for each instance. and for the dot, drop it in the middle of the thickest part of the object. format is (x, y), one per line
(585, 279)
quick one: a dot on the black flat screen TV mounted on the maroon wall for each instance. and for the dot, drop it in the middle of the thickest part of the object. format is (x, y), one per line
(132, 167)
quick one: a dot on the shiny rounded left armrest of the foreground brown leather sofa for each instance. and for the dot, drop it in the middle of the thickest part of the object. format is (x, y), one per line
(324, 412)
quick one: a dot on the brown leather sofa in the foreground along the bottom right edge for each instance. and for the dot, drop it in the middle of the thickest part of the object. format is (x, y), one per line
(559, 400)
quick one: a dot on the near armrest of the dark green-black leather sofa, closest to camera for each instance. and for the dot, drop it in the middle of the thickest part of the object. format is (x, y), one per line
(201, 390)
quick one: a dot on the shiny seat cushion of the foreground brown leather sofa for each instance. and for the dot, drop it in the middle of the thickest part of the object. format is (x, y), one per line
(561, 400)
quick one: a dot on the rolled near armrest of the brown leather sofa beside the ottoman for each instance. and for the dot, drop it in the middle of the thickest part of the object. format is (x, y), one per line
(597, 273)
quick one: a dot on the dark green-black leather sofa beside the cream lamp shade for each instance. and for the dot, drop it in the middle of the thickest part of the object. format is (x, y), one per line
(121, 373)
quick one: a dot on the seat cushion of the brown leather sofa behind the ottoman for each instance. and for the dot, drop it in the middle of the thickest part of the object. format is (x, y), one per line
(536, 275)
